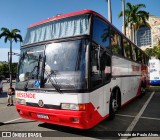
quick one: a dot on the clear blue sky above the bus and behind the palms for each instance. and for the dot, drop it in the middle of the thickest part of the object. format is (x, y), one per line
(22, 13)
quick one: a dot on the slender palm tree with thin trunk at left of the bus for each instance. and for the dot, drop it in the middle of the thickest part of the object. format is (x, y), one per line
(11, 36)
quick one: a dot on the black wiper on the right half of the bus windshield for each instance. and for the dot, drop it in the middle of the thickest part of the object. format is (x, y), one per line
(54, 83)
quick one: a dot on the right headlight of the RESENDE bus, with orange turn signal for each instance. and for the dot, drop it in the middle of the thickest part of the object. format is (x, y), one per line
(69, 106)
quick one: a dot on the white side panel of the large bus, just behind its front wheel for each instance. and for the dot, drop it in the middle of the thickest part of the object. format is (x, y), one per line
(127, 76)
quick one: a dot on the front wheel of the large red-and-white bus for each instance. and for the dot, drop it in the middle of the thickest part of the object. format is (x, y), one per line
(114, 104)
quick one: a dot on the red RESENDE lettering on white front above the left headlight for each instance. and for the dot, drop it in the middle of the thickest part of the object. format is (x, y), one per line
(25, 95)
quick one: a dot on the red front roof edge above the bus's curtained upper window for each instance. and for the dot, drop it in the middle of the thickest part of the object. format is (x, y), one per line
(61, 16)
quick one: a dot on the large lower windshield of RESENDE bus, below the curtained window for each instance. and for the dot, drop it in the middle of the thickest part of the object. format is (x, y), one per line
(59, 64)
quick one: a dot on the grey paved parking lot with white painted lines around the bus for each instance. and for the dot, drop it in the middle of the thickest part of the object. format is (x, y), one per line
(141, 117)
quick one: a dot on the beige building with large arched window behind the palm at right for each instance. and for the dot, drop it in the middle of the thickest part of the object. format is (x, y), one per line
(147, 36)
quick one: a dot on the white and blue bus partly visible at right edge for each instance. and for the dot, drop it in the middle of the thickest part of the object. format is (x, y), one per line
(154, 67)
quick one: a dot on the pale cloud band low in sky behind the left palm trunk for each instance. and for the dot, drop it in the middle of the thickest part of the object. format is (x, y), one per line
(4, 54)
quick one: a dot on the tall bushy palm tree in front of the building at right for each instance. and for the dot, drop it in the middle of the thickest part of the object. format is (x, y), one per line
(134, 17)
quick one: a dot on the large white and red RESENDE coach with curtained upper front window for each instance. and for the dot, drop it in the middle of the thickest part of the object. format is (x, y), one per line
(77, 69)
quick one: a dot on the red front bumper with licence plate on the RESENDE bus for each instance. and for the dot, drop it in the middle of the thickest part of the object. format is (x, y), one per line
(77, 119)
